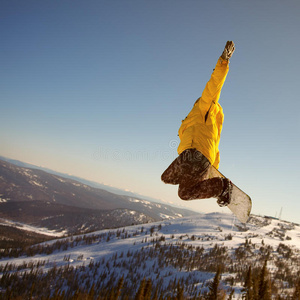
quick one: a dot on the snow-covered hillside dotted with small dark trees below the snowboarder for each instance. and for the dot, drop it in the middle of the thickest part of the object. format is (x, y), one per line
(183, 252)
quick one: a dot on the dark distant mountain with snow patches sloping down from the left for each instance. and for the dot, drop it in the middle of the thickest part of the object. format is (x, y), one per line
(36, 197)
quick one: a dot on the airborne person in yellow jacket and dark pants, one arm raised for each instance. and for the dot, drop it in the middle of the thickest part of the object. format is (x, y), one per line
(199, 137)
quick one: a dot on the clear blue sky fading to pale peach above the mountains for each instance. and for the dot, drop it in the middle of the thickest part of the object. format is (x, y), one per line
(98, 89)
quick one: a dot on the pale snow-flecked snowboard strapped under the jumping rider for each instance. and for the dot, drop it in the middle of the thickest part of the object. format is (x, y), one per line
(240, 203)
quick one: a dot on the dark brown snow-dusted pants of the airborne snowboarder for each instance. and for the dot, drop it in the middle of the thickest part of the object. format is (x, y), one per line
(191, 171)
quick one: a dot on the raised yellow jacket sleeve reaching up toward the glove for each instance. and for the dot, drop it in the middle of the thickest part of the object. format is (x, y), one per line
(212, 91)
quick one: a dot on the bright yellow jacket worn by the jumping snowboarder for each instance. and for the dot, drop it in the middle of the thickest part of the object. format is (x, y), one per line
(201, 129)
